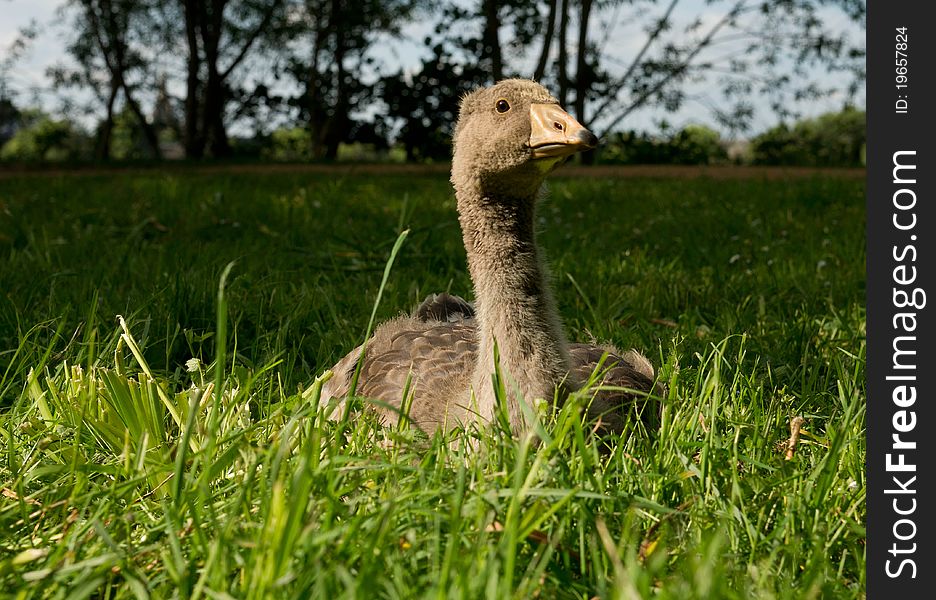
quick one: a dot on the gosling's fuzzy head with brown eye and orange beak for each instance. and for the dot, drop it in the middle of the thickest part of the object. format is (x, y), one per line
(511, 135)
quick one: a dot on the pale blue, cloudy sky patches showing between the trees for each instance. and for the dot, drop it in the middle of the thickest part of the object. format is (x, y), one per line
(28, 80)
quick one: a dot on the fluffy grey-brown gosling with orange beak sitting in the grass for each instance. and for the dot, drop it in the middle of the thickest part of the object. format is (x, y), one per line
(508, 138)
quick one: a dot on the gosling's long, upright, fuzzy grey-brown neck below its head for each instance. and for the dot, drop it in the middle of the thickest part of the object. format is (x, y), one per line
(513, 302)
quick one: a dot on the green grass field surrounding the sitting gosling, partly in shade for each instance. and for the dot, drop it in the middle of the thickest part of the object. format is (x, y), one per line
(177, 452)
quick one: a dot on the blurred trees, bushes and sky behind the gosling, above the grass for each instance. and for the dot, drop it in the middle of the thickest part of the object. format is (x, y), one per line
(695, 82)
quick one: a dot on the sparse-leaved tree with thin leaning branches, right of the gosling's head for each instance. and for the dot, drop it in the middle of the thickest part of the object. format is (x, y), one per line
(750, 48)
